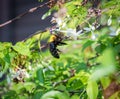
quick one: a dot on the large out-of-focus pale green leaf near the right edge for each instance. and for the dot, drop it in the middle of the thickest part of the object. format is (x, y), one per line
(107, 66)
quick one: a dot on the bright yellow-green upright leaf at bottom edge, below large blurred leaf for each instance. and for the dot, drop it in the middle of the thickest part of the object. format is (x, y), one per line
(92, 89)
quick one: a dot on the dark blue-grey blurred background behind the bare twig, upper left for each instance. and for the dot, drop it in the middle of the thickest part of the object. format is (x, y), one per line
(22, 28)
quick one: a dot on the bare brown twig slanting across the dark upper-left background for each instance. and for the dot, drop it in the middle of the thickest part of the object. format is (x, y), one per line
(25, 13)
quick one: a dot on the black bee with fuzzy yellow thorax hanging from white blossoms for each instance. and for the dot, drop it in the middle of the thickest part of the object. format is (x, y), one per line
(54, 41)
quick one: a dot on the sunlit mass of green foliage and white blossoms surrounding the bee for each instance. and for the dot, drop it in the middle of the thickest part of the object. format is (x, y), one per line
(87, 65)
